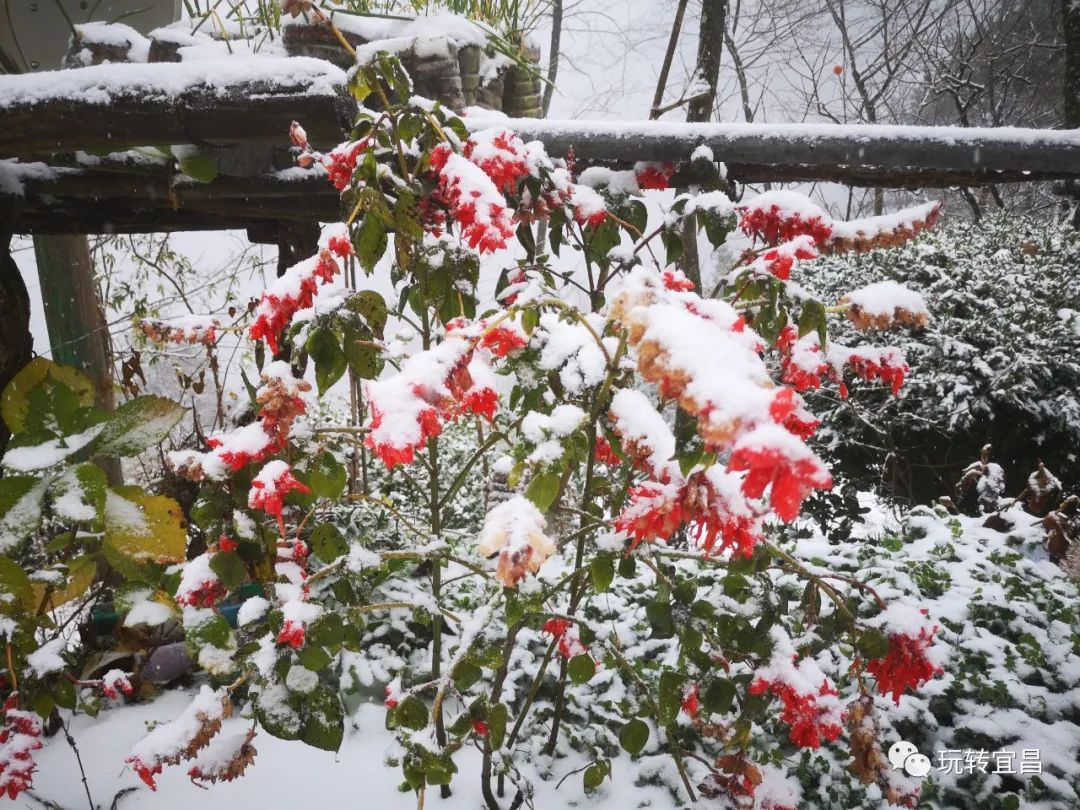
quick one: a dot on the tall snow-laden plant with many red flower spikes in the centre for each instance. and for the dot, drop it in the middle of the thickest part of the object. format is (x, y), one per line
(571, 380)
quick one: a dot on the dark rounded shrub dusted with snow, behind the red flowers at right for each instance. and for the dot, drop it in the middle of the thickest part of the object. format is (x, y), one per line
(998, 364)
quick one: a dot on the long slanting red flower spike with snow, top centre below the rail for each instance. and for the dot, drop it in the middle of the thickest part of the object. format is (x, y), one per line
(474, 200)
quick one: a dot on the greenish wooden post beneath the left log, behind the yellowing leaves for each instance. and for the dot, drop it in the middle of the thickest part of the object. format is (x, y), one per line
(78, 333)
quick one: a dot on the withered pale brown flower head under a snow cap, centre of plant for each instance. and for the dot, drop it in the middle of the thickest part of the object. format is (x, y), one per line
(515, 531)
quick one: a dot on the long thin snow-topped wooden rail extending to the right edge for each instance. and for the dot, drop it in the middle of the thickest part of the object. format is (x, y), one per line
(857, 154)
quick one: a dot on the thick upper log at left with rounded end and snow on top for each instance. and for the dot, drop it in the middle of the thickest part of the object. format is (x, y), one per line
(211, 102)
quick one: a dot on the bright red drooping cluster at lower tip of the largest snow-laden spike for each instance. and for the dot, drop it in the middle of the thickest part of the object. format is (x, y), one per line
(776, 460)
